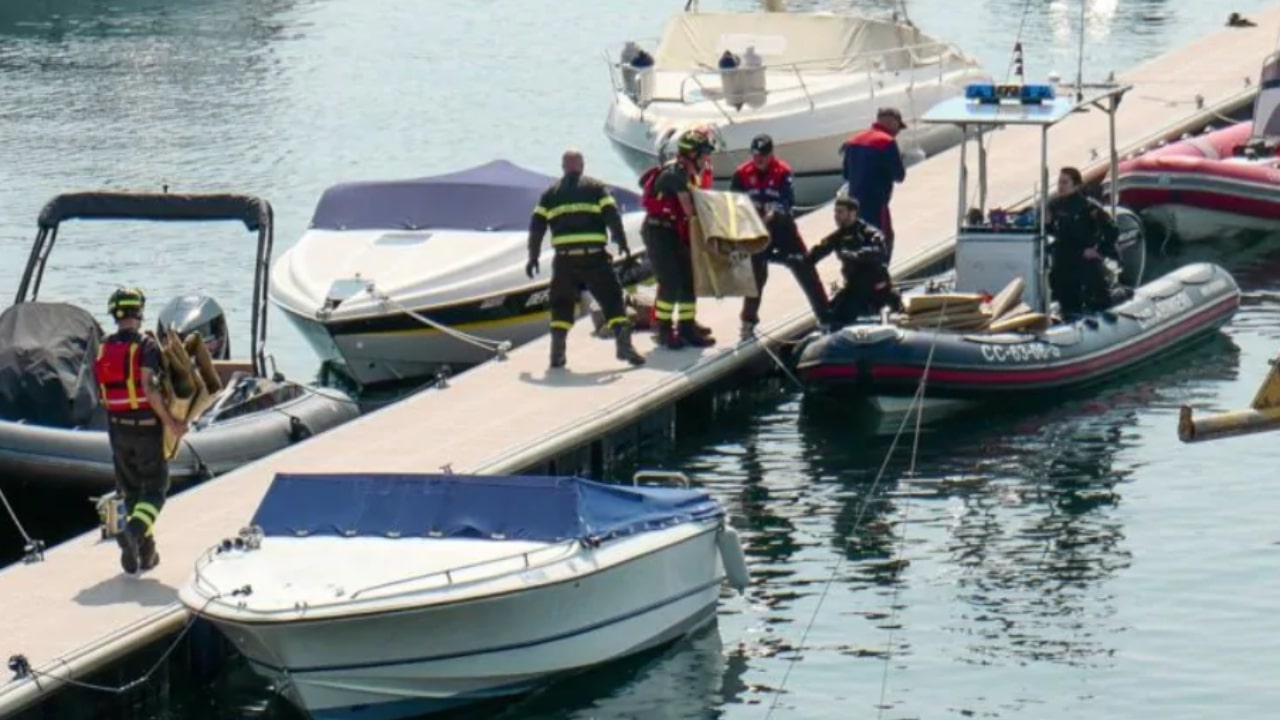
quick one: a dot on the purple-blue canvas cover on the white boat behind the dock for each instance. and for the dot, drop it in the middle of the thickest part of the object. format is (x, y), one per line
(495, 197)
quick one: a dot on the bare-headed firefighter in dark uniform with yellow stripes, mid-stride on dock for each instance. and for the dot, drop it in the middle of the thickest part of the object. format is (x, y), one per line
(580, 213)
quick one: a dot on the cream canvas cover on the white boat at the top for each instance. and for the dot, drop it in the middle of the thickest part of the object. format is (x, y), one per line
(821, 43)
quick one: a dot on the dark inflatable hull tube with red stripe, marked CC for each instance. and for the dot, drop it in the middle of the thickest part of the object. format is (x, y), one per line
(890, 361)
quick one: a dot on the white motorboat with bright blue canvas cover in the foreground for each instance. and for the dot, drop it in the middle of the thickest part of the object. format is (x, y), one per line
(395, 596)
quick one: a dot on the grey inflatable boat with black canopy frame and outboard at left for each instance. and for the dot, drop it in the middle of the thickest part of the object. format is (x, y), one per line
(53, 430)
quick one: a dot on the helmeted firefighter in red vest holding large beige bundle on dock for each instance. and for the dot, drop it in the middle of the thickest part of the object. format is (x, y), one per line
(669, 213)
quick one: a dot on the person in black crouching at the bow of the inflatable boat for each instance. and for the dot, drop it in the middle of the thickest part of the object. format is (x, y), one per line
(863, 259)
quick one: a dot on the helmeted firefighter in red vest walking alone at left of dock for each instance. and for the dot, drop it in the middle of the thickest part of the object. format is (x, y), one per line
(127, 372)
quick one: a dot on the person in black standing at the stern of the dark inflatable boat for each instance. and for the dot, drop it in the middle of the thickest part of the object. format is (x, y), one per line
(1085, 236)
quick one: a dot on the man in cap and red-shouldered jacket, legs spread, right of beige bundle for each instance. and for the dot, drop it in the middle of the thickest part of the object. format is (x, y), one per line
(771, 185)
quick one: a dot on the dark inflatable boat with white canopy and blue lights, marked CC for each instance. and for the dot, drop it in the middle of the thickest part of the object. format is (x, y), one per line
(999, 345)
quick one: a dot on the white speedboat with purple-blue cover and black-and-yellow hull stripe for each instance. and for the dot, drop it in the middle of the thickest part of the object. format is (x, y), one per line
(396, 280)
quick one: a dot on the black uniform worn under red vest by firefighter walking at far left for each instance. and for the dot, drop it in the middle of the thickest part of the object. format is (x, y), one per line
(141, 468)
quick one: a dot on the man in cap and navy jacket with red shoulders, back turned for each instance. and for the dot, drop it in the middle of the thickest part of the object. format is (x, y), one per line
(874, 163)
